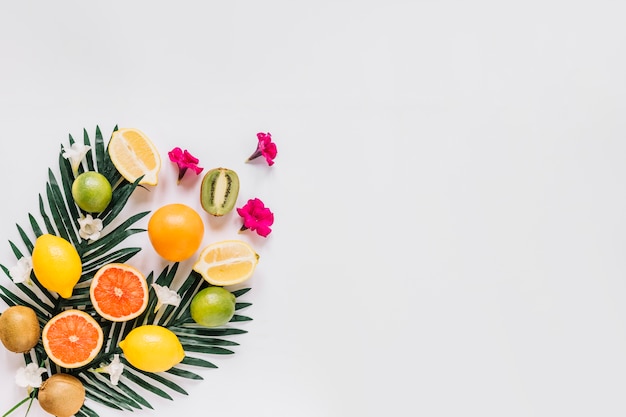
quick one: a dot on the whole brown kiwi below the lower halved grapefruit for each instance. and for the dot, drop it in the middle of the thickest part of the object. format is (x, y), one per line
(61, 395)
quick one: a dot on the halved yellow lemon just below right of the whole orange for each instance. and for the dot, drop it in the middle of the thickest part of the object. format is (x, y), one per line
(227, 262)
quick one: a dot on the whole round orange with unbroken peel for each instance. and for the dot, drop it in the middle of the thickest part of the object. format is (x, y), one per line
(175, 231)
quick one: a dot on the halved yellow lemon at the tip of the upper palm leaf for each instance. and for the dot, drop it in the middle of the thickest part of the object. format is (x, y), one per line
(134, 155)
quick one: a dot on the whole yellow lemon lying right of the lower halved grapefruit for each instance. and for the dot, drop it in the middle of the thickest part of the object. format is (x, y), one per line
(152, 348)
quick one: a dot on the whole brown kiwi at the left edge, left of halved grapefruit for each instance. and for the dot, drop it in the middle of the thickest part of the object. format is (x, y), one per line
(19, 329)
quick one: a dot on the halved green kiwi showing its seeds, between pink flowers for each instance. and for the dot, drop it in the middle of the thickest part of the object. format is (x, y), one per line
(219, 191)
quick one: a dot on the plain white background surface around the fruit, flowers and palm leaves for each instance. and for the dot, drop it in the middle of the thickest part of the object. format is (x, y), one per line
(449, 190)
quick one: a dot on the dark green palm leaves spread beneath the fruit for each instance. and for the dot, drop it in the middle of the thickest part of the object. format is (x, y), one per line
(58, 214)
